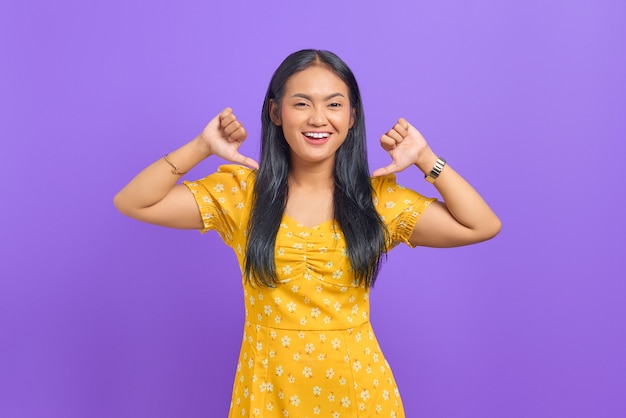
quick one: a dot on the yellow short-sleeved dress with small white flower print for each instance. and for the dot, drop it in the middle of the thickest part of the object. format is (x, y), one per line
(308, 347)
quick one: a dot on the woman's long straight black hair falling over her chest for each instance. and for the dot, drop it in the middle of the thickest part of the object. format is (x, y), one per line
(353, 208)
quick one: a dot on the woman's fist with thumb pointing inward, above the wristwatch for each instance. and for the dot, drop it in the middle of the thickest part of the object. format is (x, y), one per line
(406, 146)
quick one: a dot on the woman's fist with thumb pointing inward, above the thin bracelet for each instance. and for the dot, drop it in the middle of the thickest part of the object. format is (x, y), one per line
(223, 136)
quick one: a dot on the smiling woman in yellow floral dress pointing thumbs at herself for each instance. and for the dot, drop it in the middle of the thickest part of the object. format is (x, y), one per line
(309, 227)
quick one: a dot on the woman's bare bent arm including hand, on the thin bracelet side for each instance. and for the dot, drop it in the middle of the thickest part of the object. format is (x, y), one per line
(154, 196)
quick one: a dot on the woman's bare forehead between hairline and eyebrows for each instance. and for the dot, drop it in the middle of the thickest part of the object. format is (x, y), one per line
(315, 80)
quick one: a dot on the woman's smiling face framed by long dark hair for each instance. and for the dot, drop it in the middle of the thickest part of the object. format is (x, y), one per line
(315, 115)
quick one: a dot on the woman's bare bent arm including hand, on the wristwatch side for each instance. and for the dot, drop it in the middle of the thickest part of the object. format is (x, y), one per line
(463, 217)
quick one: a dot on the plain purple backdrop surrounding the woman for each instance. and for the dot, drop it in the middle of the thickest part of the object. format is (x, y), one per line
(102, 316)
